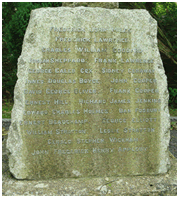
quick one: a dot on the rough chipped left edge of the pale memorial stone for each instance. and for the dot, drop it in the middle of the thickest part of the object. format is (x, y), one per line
(15, 145)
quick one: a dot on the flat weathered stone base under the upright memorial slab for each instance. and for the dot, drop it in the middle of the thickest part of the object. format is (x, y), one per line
(161, 185)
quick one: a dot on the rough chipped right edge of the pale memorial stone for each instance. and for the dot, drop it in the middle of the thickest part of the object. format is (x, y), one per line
(164, 94)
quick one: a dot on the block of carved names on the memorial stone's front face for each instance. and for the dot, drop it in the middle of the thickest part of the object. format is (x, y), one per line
(94, 95)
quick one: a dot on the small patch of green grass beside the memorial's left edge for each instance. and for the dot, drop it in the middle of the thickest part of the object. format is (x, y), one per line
(6, 108)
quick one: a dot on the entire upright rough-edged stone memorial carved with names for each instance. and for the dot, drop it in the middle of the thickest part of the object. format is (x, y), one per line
(91, 97)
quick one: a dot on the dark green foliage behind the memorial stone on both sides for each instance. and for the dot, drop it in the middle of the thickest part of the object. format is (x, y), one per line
(16, 15)
